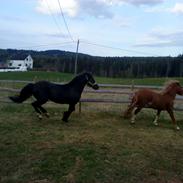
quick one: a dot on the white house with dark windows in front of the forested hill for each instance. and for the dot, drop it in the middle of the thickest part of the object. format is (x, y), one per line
(22, 65)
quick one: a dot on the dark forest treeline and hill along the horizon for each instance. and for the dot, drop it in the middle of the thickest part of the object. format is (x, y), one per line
(62, 61)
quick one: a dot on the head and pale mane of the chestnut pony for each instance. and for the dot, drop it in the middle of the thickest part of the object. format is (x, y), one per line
(174, 85)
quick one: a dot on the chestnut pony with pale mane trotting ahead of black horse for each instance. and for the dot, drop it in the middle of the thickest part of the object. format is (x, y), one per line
(162, 101)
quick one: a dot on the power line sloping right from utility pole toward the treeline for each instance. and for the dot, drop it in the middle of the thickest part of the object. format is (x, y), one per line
(116, 48)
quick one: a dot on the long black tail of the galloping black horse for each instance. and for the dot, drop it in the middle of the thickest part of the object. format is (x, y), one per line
(25, 93)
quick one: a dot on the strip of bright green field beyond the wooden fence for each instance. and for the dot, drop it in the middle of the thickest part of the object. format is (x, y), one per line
(65, 77)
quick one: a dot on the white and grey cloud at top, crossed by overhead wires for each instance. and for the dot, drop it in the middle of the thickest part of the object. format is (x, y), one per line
(73, 8)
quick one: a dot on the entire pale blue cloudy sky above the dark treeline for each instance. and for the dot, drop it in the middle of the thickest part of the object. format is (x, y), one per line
(103, 27)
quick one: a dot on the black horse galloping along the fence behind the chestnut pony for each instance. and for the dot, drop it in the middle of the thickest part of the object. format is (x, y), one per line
(69, 93)
